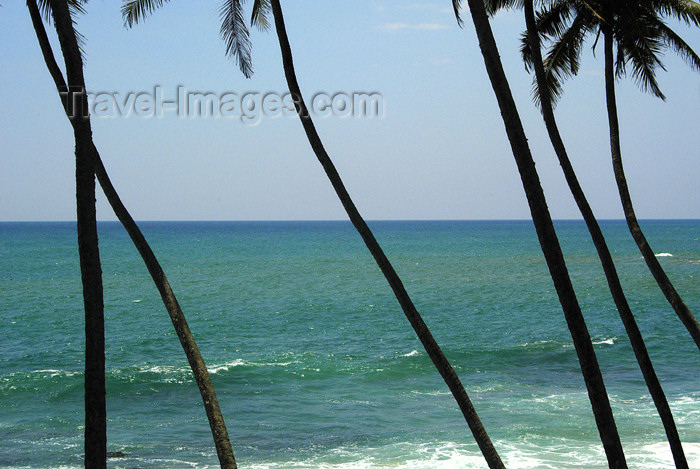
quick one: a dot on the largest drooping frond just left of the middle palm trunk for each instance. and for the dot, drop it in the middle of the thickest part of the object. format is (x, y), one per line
(236, 35)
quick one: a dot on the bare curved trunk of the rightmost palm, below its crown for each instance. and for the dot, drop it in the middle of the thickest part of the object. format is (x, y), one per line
(679, 306)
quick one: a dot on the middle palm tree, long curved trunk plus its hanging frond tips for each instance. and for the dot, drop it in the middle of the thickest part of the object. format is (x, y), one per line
(235, 34)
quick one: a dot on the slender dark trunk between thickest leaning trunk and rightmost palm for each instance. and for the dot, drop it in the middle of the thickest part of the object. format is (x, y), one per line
(601, 246)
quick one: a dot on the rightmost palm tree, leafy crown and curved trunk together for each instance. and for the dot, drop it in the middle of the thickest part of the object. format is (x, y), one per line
(639, 34)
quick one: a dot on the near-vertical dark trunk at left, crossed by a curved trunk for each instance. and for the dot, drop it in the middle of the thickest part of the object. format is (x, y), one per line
(91, 272)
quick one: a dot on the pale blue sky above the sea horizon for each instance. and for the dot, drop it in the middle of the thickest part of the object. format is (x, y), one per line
(437, 150)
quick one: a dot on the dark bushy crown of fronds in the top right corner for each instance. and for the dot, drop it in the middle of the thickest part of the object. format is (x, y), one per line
(638, 29)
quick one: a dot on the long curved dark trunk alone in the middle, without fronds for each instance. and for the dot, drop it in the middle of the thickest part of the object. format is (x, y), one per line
(421, 329)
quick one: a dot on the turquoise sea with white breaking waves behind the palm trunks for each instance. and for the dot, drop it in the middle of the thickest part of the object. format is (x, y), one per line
(314, 363)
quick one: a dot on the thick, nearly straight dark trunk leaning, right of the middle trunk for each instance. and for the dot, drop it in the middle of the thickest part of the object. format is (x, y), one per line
(548, 240)
